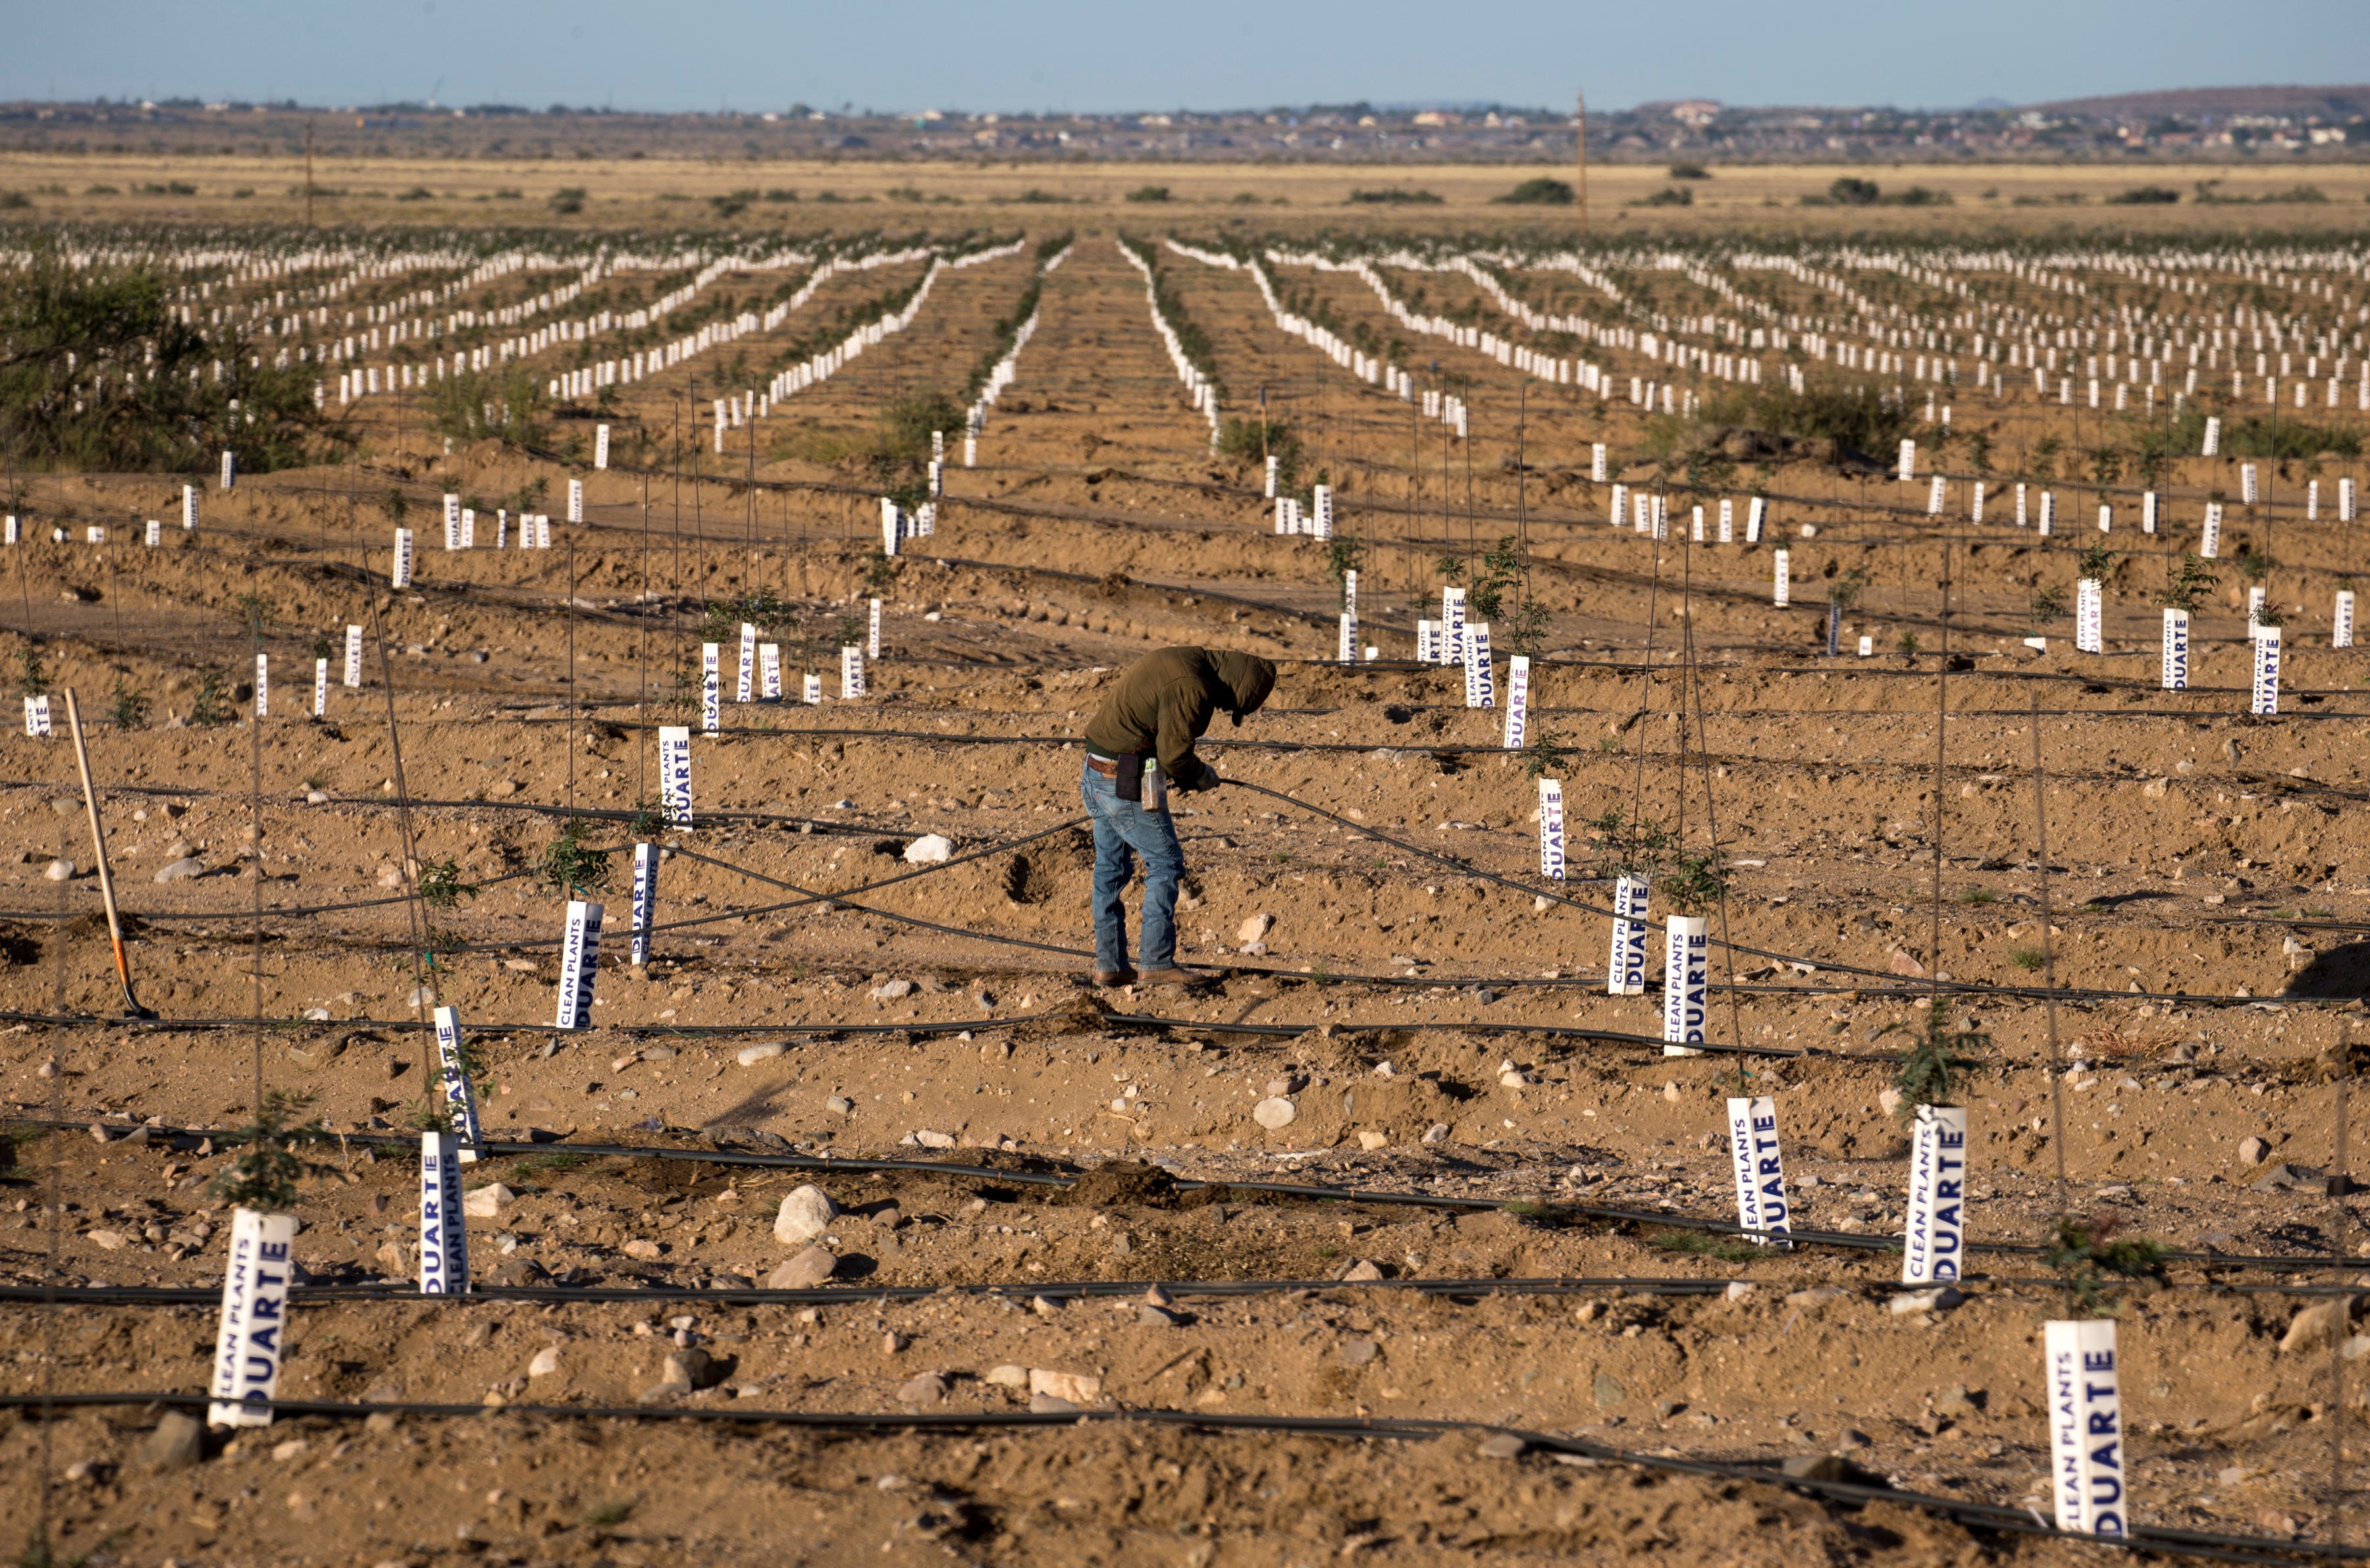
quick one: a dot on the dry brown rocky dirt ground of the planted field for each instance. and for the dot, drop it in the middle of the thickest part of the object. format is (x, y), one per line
(1437, 1032)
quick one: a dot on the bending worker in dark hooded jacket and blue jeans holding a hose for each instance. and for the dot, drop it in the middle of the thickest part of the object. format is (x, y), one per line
(1139, 750)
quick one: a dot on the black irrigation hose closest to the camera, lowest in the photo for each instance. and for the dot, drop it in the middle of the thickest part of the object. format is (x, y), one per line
(1975, 1515)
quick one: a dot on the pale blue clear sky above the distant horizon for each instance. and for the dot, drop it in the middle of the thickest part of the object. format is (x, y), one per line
(1077, 56)
